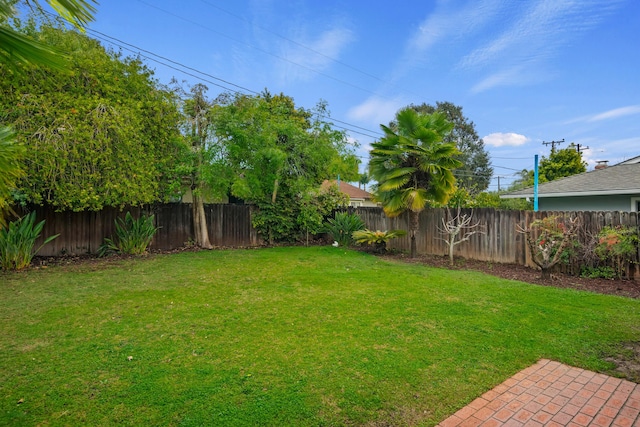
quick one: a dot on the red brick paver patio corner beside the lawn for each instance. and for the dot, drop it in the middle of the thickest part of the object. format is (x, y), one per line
(552, 394)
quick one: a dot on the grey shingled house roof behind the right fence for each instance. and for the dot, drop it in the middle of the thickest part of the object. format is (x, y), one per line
(623, 178)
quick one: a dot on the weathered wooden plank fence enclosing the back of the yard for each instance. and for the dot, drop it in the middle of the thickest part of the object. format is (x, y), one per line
(230, 226)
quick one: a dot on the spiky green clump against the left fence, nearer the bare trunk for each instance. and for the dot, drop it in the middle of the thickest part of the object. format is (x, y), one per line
(133, 236)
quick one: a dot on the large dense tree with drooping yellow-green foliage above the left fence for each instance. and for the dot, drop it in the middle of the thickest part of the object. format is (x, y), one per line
(99, 133)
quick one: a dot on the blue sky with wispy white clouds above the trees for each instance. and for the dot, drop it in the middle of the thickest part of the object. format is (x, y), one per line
(525, 72)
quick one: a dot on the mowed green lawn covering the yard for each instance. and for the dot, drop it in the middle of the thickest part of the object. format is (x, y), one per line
(316, 336)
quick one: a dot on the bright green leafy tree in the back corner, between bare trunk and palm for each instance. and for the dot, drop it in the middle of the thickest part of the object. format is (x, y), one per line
(279, 153)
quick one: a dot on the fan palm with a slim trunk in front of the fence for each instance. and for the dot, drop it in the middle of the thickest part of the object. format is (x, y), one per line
(413, 166)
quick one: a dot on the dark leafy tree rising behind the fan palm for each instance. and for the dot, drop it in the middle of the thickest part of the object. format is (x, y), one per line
(476, 171)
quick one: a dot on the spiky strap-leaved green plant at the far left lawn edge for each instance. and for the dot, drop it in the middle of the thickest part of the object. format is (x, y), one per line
(17, 242)
